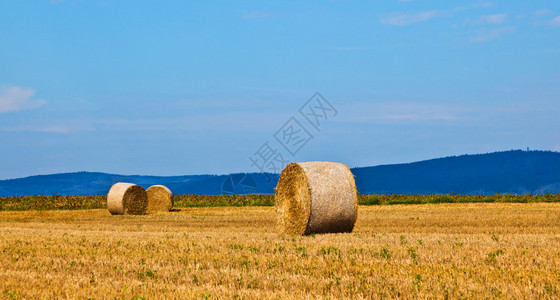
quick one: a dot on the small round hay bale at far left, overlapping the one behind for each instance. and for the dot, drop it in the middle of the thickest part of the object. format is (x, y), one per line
(127, 199)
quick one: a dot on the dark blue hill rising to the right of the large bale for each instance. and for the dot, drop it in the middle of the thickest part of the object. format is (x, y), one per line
(516, 171)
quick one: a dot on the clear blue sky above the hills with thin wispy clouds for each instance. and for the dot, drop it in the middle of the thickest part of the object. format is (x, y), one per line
(193, 87)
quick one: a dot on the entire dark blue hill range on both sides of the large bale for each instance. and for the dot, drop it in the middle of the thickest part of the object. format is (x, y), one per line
(517, 171)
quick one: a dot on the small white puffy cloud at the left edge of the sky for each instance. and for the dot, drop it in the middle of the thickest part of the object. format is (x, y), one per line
(13, 98)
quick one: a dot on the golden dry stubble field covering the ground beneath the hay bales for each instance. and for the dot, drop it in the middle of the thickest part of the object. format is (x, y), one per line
(423, 251)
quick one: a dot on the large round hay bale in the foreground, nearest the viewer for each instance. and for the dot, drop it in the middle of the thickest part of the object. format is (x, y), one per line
(316, 197)
